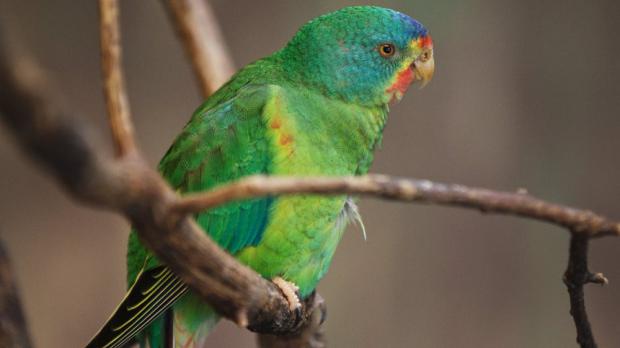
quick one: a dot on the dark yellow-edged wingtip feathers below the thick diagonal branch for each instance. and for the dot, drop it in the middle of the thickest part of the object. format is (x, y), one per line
(152, 293)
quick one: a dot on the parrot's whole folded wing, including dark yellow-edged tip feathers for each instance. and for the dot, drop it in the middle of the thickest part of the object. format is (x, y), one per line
(219, 144)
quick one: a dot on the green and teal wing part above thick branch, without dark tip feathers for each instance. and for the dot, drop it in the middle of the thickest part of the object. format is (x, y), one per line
(220, 145)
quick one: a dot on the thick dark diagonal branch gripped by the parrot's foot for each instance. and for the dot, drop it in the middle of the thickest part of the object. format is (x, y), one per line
(129, 186)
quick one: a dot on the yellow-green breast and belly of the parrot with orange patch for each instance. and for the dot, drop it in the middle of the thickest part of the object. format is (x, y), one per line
(310, 135)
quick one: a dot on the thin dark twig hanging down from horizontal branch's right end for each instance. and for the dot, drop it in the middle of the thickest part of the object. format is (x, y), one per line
(576, 276)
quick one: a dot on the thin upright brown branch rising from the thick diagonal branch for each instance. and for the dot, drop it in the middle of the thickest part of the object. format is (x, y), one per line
(113, 81)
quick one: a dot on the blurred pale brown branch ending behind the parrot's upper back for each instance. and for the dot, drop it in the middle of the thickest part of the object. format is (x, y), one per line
(197, 26)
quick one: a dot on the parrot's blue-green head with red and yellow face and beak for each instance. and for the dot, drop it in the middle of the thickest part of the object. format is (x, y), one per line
(363, 54)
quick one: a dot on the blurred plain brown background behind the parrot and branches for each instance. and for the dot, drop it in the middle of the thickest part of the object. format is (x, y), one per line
(525, 94)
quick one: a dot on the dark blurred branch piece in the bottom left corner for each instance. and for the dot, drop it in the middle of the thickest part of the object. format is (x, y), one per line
(13, 330)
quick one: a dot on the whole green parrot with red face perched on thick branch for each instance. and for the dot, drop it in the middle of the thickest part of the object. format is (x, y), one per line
(316, 107)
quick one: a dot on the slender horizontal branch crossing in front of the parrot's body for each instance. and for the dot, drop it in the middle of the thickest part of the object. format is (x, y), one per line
(582, 222)
